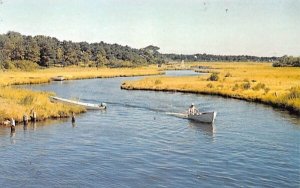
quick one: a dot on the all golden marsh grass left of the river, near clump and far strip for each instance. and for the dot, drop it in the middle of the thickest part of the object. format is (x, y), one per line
(17, 102)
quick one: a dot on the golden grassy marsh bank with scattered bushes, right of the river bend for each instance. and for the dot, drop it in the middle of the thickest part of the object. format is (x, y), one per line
(259, 82)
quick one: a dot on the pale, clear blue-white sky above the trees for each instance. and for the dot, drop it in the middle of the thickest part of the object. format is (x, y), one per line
(226, 27)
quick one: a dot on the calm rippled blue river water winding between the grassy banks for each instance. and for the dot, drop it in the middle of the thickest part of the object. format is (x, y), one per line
(136, 144)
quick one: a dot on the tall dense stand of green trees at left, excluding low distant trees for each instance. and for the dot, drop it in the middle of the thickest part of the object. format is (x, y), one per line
(49, 51)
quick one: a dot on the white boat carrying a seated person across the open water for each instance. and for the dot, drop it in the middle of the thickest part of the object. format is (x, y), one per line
(204, 117)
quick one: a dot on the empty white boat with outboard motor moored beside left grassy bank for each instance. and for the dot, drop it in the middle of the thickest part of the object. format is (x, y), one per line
(88, 106)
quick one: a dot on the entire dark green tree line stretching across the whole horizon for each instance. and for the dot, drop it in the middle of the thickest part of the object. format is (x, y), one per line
(21, 51)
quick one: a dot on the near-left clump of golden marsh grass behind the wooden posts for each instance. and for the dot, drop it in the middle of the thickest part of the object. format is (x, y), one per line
(18, 102)
